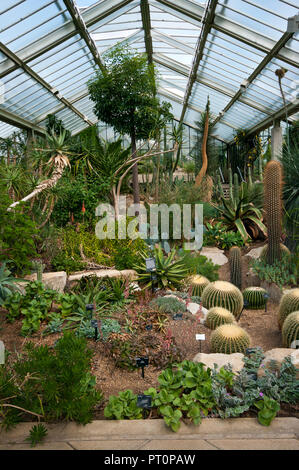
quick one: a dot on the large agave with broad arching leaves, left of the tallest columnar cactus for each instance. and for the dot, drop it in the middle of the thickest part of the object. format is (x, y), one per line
(240, 214)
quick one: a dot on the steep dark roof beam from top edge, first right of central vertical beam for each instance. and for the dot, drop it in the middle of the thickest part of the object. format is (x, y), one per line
(207, 21)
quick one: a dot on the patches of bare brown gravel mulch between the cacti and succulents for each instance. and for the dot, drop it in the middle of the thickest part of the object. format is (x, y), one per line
(262, 327)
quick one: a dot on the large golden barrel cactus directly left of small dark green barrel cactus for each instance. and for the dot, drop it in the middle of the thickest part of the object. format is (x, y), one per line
(223, 294)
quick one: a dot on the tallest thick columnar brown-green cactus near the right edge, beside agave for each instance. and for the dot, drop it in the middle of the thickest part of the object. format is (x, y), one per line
(273, 208)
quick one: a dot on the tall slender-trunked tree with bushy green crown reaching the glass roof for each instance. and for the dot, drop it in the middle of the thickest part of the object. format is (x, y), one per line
(124, 94)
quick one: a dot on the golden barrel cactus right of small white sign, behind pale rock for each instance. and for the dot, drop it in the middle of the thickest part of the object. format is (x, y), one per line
(229, 339)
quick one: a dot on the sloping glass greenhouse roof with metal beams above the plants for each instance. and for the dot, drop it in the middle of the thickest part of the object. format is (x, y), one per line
(227, 50)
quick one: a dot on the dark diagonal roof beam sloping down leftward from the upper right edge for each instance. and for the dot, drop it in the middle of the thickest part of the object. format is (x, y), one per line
(278, 46)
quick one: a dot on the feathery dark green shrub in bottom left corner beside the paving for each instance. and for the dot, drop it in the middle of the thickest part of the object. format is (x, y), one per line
(54, 383)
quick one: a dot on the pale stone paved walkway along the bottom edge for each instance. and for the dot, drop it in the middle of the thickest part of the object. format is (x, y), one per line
(212, 434)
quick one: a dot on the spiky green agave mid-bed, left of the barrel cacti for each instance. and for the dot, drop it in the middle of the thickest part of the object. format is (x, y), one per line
(169, 271)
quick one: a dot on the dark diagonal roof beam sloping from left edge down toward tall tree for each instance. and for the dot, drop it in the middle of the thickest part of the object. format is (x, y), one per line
(12, 56)
